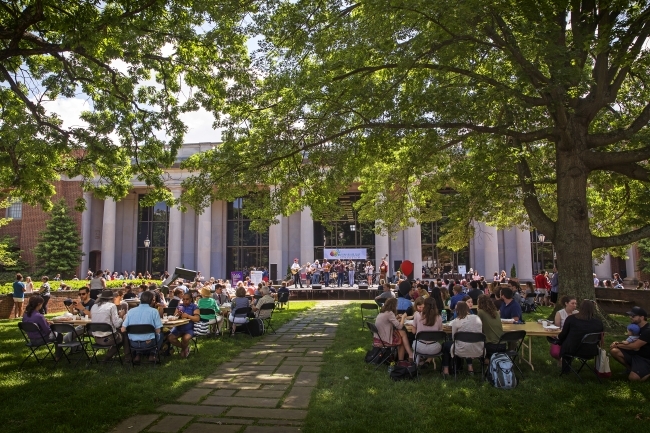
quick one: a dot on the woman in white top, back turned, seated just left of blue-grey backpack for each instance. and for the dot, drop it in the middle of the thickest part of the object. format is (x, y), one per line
(464, 323)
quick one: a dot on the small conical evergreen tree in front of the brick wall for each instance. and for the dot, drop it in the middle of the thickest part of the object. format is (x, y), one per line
(58, 249)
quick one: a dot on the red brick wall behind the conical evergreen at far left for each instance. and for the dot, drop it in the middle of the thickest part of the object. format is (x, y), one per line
(27, 229)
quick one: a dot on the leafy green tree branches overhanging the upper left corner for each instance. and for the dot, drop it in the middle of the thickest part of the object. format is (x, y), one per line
(138, 64)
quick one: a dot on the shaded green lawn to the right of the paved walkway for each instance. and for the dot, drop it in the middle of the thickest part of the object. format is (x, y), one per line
(351, 397)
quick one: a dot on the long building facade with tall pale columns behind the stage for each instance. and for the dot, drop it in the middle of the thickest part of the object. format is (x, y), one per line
(218, 240)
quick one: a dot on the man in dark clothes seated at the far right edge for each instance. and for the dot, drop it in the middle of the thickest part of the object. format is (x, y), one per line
(635, 355)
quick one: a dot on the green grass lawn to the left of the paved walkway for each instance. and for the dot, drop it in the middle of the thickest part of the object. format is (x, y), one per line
(84, 399)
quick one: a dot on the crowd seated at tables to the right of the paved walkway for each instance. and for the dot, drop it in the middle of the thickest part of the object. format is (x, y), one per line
(427, 306)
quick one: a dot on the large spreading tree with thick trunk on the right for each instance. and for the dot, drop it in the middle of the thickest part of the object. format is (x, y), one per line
(533, 112)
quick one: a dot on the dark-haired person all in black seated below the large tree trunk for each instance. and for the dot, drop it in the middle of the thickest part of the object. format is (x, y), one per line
(576, 326)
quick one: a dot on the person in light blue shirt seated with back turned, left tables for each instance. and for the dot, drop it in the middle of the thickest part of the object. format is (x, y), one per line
(144, 314)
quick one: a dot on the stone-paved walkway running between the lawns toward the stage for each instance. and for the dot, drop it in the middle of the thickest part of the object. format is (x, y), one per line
(265, 389)
